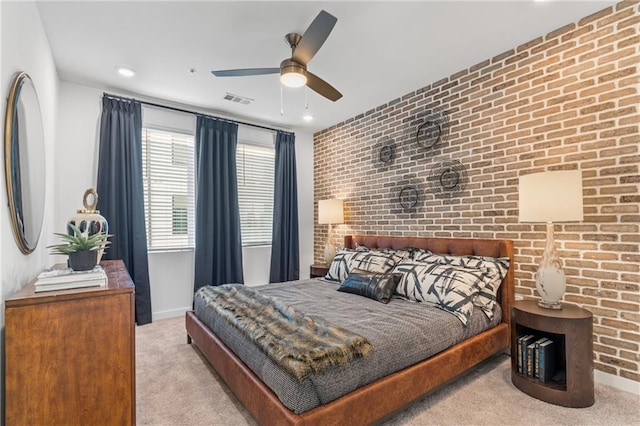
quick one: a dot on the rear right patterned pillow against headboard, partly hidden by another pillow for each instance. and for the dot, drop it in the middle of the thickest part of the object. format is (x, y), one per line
(494, 269)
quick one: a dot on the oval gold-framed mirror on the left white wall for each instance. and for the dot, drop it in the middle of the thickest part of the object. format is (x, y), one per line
(24, 162)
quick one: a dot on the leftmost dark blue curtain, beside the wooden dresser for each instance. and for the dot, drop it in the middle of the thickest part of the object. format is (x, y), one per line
(121, 196)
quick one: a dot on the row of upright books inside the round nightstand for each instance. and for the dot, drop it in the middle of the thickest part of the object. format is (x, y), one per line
(536, 357)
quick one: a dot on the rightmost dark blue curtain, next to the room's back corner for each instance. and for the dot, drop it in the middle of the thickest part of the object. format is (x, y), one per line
(285, 252)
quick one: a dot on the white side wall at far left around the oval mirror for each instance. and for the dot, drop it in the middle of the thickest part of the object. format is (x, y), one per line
(24, 47)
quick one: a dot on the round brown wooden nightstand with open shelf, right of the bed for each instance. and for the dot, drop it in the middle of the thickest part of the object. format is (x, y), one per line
(570, 329)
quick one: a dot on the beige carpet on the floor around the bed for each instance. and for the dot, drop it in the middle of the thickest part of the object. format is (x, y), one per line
(176, 386)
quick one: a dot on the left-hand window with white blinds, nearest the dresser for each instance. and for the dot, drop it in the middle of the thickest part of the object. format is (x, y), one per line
(169, 196)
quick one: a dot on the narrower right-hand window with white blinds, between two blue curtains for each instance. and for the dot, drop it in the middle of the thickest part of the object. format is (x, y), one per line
(256, 165)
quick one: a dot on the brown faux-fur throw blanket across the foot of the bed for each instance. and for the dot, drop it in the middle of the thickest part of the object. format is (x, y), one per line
(300, 344)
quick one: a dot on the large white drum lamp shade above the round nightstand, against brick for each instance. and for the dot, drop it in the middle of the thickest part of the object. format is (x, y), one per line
(551, 196)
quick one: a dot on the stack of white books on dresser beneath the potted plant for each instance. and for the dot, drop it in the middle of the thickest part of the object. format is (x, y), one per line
(61, 277)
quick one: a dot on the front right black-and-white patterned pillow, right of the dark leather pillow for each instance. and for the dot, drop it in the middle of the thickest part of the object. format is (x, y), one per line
(452, 288)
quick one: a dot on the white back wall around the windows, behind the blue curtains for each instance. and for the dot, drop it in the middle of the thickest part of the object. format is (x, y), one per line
(170, 273)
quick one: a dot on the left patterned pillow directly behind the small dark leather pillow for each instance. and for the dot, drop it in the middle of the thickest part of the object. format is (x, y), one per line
(347, 260)
